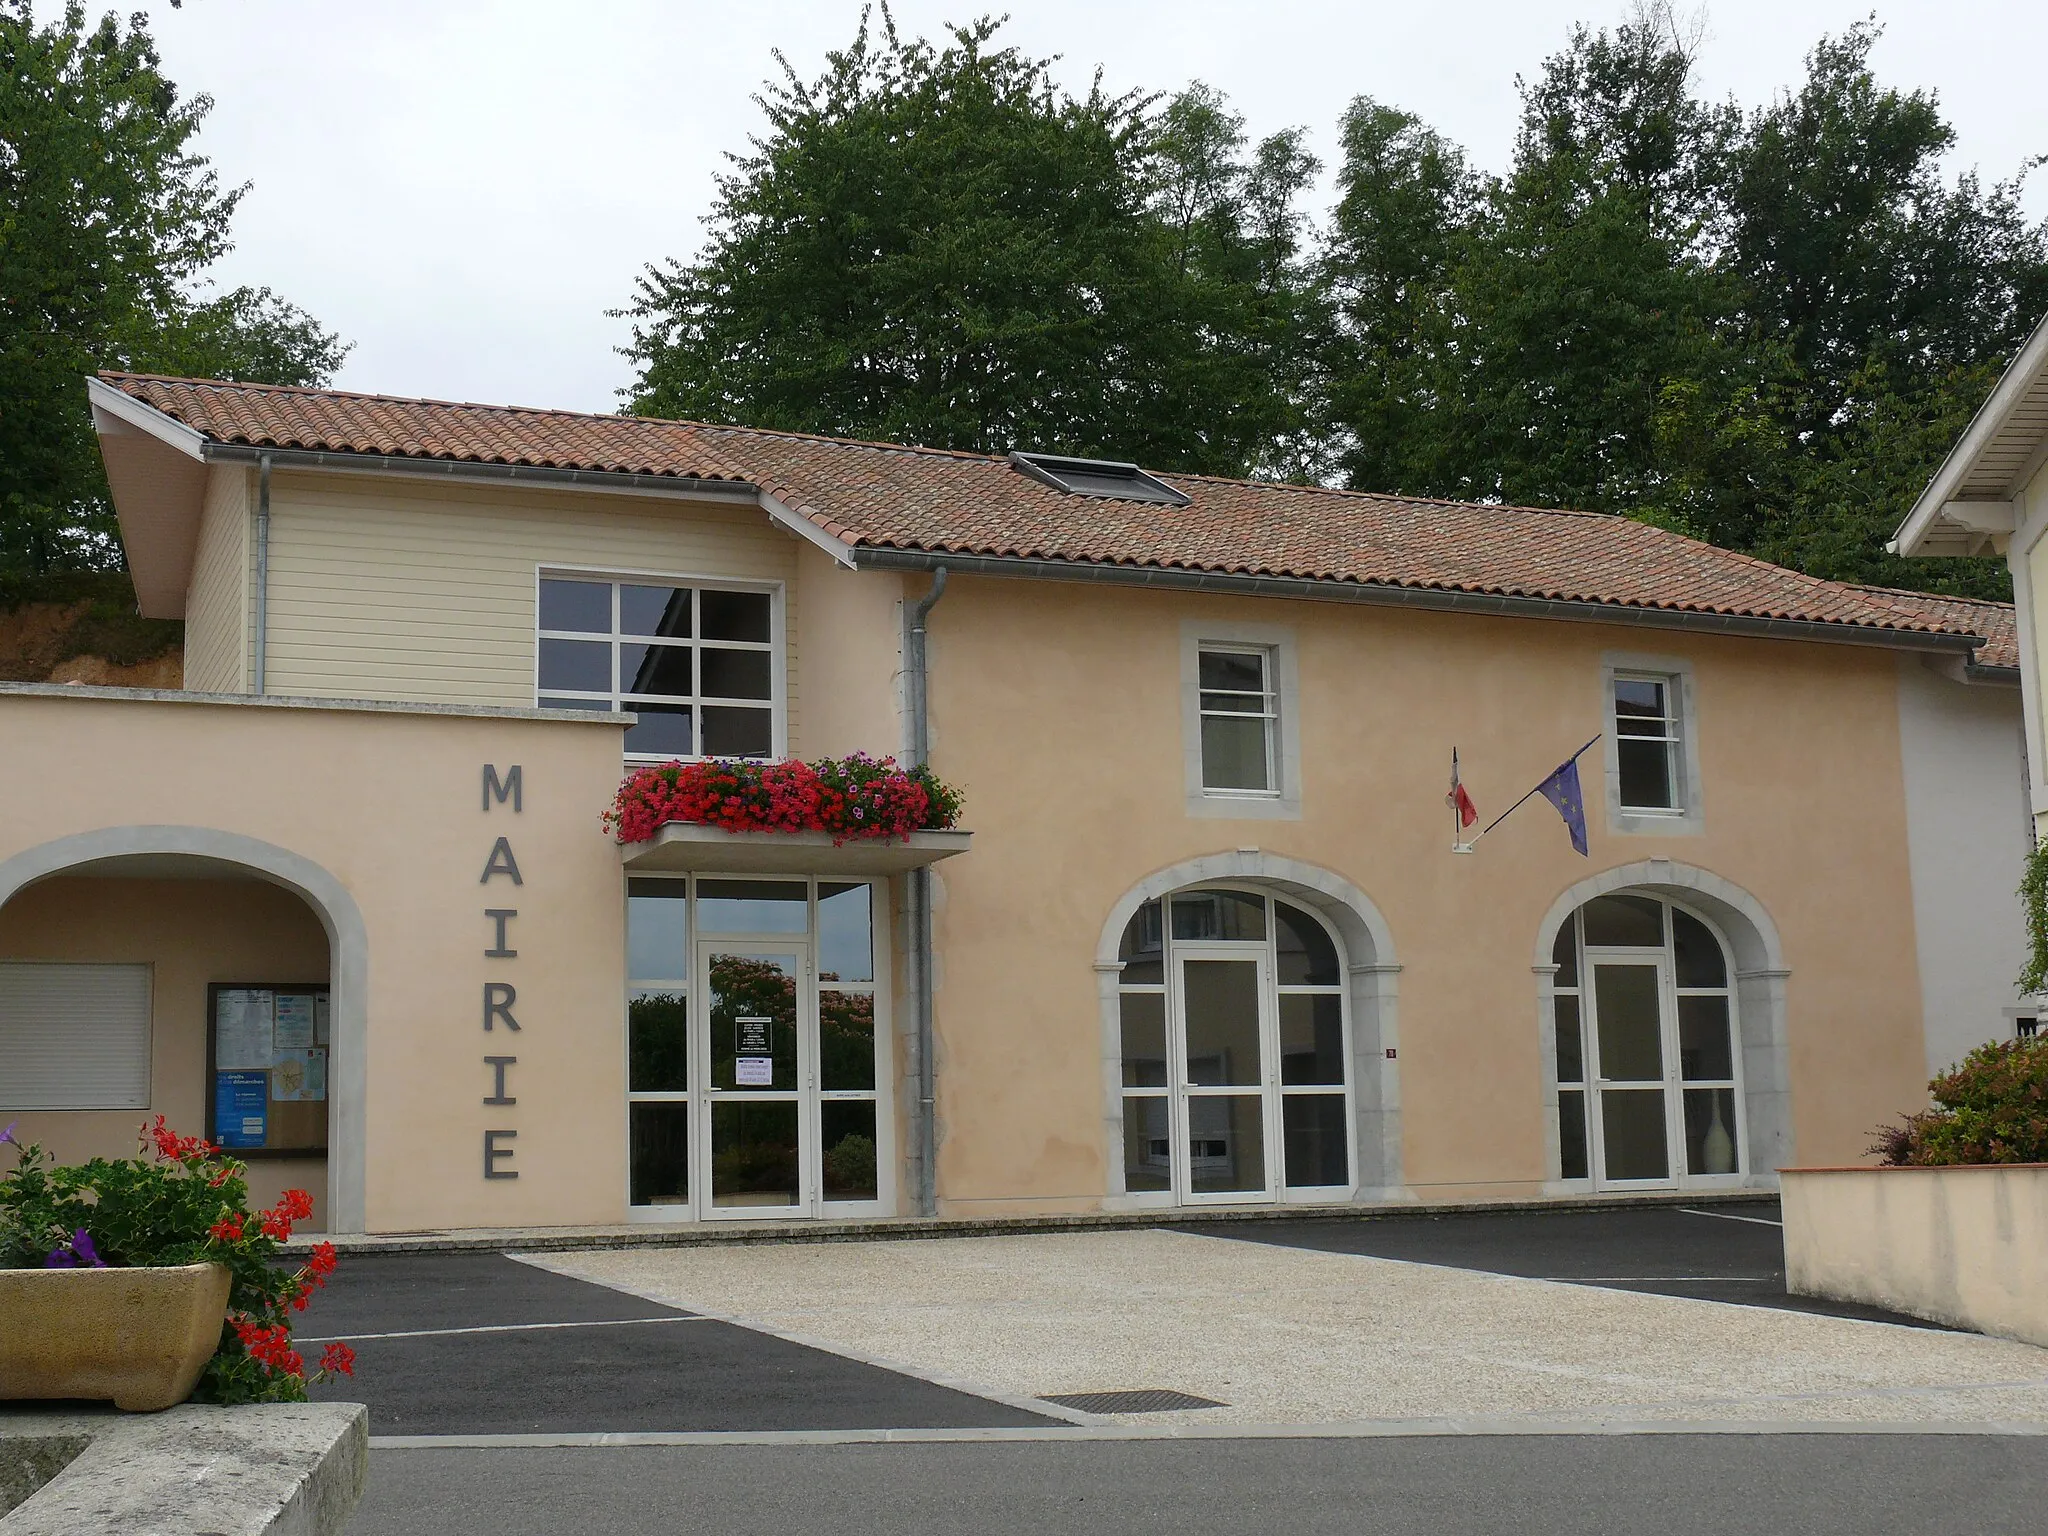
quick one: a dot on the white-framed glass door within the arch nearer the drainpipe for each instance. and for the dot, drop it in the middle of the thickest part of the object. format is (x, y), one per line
(1226, 1074)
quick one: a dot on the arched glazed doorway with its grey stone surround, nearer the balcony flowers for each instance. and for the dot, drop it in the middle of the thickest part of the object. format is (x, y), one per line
(1248, 1009)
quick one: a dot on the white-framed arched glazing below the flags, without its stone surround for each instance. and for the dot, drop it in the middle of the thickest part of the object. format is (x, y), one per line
(1650, 1074)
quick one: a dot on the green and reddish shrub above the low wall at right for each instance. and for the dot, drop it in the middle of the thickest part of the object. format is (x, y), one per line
(1992, 1109)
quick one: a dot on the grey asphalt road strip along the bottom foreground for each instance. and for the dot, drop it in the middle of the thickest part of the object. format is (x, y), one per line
(1564, 1486)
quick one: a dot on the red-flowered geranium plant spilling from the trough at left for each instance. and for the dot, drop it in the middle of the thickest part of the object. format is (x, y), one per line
(183, 1205)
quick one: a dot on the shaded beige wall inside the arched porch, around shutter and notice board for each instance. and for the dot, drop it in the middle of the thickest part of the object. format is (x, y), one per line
(189, 933)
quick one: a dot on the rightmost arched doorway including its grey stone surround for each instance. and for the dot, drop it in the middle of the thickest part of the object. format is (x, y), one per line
(1664, 1037)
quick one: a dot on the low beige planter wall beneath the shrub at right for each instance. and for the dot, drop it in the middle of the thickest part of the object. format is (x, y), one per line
(1963, 1246)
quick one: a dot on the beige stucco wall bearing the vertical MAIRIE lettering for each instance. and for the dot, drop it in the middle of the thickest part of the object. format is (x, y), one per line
(390, 808)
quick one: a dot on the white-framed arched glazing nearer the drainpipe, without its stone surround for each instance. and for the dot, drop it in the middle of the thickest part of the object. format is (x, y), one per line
(1236, 1048)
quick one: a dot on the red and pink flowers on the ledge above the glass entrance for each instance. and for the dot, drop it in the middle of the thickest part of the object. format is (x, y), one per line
(839, 814)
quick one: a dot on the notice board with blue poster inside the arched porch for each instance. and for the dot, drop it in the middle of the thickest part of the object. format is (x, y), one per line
(267, 1068)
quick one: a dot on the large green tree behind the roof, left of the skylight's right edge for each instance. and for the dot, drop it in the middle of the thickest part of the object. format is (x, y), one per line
(939, 245)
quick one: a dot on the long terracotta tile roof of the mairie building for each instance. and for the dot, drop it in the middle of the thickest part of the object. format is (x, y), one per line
(888, 497)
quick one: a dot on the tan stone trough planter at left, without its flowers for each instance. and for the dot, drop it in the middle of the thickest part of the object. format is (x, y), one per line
(134, 1336)
